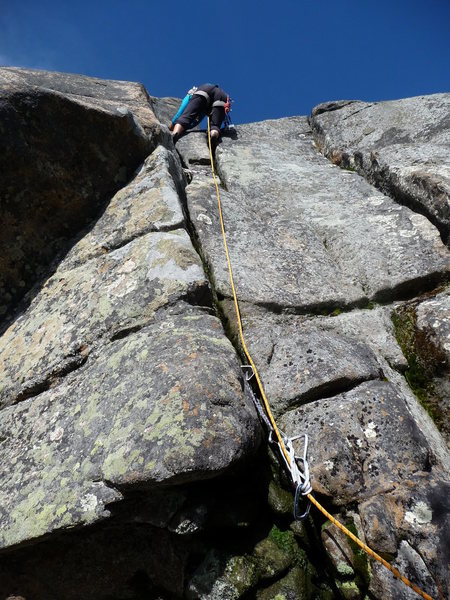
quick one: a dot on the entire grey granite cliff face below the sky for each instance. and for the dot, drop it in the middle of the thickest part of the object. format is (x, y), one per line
(131, 450)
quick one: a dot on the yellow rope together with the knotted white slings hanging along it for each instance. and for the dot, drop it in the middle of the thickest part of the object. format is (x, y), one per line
(300, 478)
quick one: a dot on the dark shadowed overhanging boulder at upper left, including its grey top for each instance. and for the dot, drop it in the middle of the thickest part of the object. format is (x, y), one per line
(69, 142)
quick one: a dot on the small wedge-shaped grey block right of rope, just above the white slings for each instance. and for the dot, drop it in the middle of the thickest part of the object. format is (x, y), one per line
(300, 361)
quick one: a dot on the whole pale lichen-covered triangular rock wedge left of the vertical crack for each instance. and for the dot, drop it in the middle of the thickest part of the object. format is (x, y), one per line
(93, 397)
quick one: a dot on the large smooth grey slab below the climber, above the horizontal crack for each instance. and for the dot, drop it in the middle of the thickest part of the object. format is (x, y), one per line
(333, 239)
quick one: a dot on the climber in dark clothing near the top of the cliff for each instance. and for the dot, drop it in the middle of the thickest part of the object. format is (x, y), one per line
(207, 99)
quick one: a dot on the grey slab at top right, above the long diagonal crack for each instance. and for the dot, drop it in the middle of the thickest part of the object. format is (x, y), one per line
(402, 146)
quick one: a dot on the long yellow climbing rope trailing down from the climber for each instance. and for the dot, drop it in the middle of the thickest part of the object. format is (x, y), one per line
(281, 443)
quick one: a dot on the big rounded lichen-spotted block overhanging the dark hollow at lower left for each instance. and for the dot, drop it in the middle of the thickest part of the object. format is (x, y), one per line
(140, 413)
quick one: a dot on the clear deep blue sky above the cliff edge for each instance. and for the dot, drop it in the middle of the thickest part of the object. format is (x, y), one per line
(274, 58)
